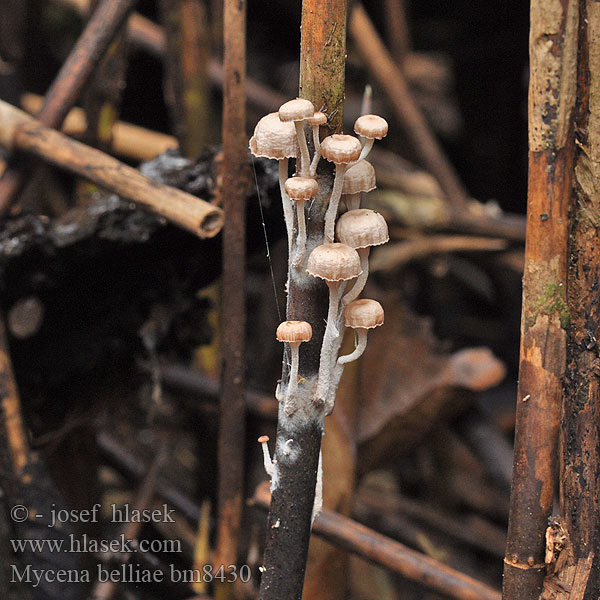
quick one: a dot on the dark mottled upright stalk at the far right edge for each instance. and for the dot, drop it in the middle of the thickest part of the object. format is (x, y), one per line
(580, 437)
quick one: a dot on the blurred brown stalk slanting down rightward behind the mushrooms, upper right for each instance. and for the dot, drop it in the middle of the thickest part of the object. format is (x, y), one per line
(390, 78)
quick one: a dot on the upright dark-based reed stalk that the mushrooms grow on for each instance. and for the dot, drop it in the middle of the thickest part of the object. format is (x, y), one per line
(322, 79)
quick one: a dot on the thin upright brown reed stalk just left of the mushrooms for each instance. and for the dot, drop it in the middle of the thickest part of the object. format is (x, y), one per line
(232, 417)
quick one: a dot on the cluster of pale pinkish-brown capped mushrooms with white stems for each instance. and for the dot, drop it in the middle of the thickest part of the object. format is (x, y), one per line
(342, 264)
